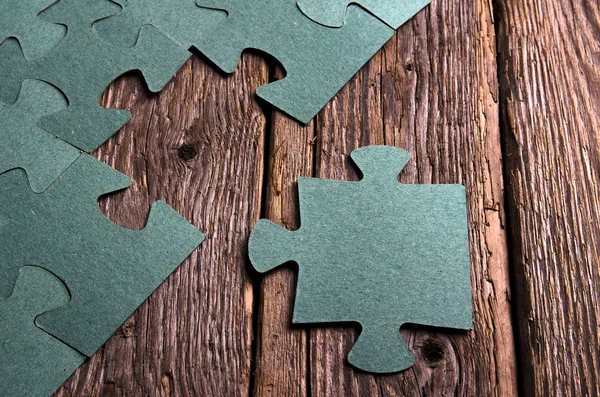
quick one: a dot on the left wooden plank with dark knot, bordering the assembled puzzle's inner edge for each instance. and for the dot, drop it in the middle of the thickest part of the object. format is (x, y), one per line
(199, 146)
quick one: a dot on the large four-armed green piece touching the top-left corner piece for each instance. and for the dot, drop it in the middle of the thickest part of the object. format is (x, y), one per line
(82, 65)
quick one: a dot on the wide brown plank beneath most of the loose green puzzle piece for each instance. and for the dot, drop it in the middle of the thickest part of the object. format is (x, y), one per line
(433, 92)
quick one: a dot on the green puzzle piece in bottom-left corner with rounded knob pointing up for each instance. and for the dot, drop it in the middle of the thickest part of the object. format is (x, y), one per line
(32, 362)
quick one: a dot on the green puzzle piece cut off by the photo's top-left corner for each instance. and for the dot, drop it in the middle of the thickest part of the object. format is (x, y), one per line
(19, 19)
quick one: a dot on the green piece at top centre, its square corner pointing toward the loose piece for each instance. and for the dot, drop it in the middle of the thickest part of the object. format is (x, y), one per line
(318, 60)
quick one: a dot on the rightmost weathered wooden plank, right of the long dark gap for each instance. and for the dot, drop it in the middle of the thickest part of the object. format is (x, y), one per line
(550, 97)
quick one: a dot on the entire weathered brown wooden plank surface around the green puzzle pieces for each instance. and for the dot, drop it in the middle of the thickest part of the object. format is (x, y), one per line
(502, 96)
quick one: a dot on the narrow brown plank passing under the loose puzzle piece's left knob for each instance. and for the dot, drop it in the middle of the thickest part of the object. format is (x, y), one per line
(281, 350)
